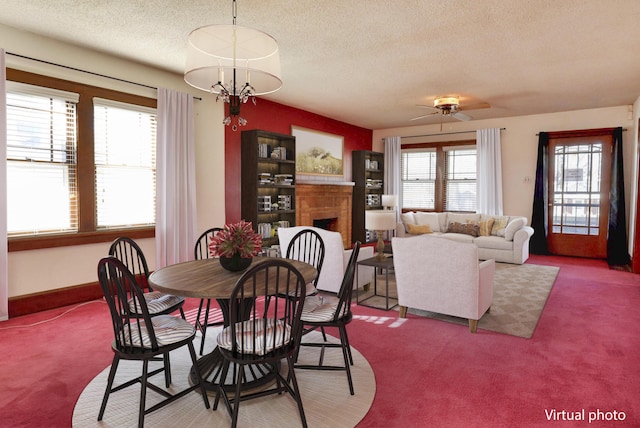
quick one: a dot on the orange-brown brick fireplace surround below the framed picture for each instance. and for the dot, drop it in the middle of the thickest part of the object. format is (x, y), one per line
(320, 201)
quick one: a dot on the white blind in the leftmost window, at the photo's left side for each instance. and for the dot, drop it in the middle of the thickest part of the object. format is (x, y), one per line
(41, 160)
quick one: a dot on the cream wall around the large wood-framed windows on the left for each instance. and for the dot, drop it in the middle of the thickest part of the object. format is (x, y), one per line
(47, 269)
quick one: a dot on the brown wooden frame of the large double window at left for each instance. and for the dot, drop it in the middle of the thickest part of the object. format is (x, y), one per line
(87, 232)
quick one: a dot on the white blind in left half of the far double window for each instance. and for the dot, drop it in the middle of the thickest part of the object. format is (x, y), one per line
(418, 178)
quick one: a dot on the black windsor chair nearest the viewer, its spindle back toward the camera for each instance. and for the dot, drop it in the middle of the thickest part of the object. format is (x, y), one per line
(264, 329)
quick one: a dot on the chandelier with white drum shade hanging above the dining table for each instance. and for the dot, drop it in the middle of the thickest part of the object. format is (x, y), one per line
(246, 57)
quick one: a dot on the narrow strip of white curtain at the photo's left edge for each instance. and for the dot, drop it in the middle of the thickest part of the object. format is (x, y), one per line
(4, 281)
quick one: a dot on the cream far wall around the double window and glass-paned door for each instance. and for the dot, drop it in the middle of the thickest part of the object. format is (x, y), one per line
(520, 147)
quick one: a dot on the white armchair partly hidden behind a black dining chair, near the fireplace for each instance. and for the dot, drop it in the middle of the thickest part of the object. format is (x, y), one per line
(336, 258)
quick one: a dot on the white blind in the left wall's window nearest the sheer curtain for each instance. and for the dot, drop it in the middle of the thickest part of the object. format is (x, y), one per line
(125, 164)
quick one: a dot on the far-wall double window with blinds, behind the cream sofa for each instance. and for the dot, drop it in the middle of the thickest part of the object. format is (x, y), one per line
(440, 177)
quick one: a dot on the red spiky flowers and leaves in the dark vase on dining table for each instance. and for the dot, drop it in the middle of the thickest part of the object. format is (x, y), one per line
(238, 238)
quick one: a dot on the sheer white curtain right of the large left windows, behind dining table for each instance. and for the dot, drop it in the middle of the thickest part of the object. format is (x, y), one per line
(176, 221)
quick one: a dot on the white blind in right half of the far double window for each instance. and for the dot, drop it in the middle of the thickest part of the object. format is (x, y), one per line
(460, 179)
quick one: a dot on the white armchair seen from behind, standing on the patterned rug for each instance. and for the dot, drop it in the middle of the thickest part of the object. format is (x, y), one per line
(442, 276)
